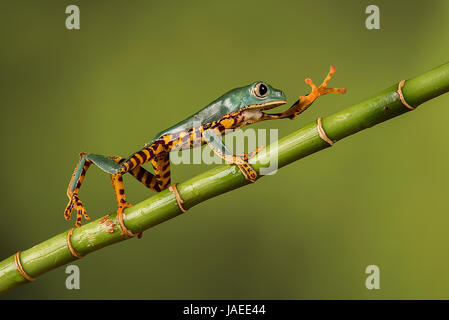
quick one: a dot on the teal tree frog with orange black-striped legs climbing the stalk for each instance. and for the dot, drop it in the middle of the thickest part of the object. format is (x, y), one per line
(236, 108)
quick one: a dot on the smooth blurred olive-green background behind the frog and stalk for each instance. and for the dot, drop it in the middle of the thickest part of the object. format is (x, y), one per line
(308, 232)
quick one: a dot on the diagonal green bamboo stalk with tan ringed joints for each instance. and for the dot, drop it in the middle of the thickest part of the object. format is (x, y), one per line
(54, 252)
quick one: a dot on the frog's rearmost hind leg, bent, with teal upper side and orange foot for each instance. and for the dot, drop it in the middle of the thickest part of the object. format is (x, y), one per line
(104, 163)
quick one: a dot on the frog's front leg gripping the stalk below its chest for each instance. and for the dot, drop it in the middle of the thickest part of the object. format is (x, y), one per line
(217, 145)
